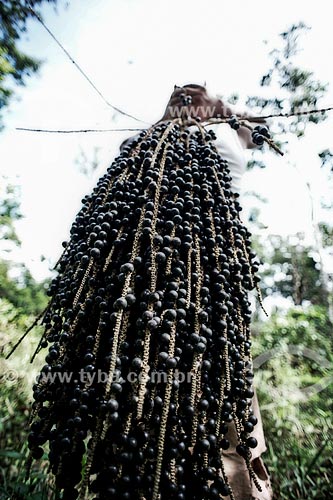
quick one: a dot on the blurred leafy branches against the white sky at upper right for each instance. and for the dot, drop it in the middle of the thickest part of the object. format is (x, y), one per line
(288, 89)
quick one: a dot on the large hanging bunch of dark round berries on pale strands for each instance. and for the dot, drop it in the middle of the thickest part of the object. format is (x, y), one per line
(152, 289)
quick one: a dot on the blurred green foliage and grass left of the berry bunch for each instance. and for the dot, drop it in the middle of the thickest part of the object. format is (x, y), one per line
(21, 298)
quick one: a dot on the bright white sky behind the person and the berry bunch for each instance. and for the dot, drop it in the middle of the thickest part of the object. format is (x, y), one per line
(135, 51)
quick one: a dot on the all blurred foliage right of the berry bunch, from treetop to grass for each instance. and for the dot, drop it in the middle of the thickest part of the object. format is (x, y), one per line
(294, 384)
